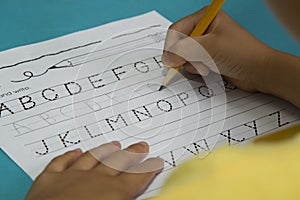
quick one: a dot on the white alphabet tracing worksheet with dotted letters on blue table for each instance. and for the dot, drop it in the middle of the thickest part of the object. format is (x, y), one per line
(101, 85)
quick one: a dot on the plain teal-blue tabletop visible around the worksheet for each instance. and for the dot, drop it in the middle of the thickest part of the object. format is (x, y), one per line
(31, 21)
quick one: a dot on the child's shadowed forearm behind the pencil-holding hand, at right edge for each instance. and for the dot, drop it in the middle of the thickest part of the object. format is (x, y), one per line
(282, 76)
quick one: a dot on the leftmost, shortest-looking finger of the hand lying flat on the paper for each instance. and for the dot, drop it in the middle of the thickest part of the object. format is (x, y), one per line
(63, 162)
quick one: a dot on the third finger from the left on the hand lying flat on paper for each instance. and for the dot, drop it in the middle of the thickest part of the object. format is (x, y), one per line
(123, 159)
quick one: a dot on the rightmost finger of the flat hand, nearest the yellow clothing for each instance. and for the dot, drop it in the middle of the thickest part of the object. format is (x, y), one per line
(140, 176)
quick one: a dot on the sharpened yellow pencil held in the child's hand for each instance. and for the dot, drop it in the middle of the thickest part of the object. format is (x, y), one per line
(201, 27)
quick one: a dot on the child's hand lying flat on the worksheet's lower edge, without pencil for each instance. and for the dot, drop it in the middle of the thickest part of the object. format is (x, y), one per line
(75, 175)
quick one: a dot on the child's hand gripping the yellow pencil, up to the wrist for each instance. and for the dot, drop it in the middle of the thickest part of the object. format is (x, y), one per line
(238, 55)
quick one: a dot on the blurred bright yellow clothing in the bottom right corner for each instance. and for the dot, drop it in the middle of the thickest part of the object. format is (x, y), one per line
(269, 168)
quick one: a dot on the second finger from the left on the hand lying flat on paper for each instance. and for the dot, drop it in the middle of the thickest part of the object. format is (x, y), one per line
(92, 158)
